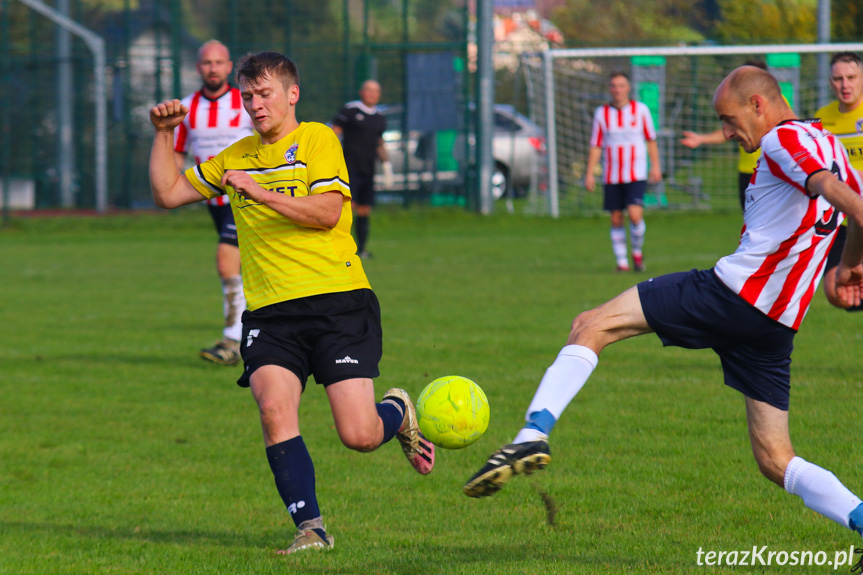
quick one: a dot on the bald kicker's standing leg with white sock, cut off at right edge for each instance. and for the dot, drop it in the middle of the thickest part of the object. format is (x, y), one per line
(820, 490)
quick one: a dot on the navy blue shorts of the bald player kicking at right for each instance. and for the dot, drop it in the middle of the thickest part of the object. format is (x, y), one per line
(695, 310)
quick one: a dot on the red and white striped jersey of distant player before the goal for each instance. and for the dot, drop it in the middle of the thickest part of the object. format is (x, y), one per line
(623, 133)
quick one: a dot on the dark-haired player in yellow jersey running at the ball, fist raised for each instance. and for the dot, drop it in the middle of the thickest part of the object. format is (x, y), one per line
(310, 310)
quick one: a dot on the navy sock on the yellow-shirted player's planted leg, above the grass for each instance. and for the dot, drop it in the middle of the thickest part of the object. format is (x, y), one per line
(295, 478)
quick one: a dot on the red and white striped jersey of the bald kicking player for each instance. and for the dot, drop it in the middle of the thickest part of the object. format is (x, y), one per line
(787, 233)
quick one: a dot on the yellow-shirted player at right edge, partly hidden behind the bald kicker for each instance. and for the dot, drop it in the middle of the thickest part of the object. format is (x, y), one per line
(844, 117)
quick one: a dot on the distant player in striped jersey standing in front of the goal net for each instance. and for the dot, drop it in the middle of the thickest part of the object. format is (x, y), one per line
(623, 136)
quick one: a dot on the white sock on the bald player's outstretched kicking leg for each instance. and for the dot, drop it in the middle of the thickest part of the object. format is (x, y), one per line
(560, 384)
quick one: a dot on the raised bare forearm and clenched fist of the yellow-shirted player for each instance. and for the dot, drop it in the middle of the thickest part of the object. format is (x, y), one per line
(170, 188)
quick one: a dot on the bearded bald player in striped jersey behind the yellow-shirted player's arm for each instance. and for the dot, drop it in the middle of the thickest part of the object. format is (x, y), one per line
(216, 119)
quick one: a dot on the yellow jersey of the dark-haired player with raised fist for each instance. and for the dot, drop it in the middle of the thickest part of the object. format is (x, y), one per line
(283, 260)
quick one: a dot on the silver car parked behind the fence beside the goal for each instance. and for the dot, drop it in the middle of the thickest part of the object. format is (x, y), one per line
(433, 160)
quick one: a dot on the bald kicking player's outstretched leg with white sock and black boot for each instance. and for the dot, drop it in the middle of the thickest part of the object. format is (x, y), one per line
(618, 319)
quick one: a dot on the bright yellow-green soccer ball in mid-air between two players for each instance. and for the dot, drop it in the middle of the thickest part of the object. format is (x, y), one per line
(453, 412)
